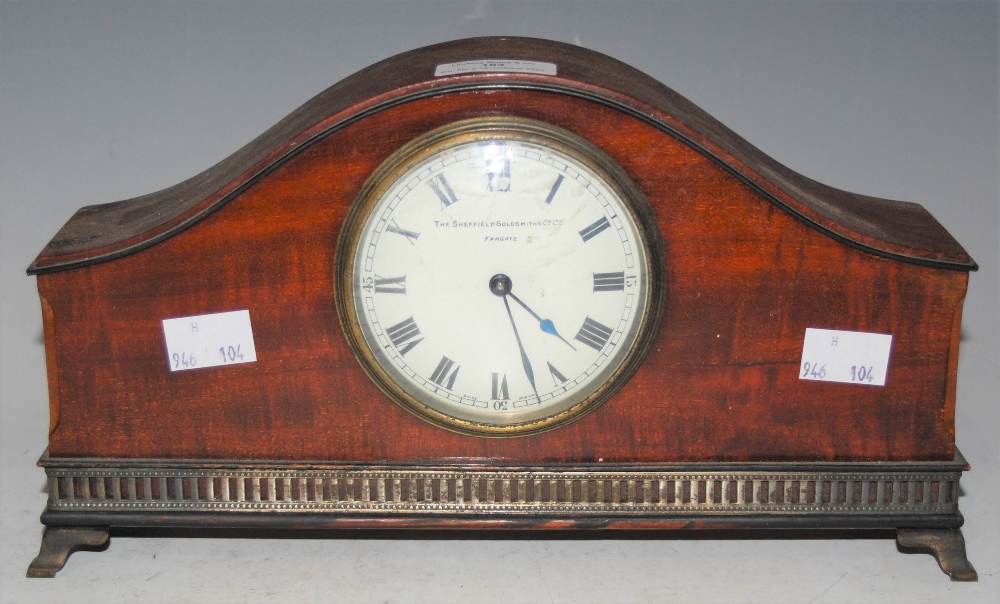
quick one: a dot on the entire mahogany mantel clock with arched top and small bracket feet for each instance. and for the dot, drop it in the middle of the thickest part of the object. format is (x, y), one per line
(502, 283)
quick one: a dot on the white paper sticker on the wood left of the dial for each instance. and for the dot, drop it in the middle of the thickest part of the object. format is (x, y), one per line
(200, 341)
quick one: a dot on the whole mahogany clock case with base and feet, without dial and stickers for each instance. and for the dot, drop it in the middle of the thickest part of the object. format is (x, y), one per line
(714, 429)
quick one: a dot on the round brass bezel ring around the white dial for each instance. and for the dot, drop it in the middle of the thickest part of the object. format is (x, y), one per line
(531, 132)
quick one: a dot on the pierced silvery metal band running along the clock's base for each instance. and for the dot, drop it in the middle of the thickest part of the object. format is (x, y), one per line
(103, 485)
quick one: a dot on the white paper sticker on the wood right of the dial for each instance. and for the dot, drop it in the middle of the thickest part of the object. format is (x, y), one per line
(851, 357)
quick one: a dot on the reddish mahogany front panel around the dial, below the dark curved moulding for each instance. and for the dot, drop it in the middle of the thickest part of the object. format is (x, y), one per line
(745, 278)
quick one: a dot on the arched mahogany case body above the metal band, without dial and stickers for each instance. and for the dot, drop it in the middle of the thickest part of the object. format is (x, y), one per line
(753, 255)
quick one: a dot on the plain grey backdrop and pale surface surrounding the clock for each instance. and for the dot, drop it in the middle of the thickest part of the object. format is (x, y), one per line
(101, 101)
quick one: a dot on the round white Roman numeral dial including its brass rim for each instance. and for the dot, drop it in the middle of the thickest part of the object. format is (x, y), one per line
(495, 277)
